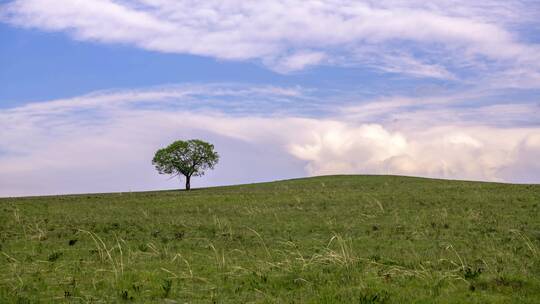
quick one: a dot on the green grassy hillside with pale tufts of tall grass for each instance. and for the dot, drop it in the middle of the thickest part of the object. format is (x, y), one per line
(333, 239)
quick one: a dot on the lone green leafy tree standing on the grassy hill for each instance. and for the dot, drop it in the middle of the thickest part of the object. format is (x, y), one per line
(188, 158)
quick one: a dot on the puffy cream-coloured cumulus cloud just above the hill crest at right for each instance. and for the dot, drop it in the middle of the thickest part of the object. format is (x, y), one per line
(447, 152)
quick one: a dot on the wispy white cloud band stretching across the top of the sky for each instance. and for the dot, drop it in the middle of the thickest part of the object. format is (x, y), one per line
(433, 38)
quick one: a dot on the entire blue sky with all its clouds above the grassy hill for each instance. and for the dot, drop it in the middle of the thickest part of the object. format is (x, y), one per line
(285, 89)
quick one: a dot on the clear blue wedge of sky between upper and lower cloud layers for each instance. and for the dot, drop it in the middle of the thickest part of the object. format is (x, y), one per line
(40, 65)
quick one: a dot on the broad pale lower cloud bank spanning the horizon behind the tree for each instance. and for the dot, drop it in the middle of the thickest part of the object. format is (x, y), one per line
(104, 141)
